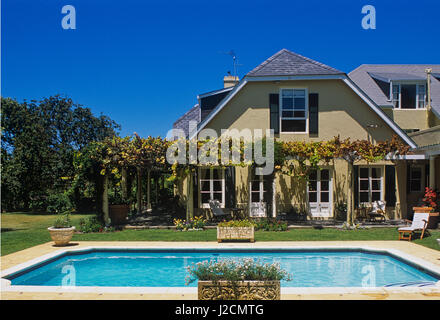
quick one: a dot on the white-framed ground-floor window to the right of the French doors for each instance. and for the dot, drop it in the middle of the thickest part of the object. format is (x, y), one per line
(370, 184)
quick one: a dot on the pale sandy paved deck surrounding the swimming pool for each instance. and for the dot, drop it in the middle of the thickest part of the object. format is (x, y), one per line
(407, 250)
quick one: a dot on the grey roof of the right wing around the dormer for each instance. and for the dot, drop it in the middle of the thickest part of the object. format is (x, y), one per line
(362, 76)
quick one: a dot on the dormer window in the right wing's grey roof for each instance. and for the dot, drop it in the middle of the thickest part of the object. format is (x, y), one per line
(408, 95)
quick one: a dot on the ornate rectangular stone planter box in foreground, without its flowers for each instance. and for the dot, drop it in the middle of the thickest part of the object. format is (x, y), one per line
(239, 290)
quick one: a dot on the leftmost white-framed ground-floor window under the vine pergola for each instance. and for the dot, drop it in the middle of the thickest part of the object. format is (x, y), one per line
(212, 186)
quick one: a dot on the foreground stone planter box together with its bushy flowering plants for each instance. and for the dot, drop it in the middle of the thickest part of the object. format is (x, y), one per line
(244, 279)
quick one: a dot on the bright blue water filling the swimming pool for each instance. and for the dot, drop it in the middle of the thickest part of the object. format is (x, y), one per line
(167, 268)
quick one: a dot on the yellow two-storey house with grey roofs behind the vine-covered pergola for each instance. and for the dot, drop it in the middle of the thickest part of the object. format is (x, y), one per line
(304, 100)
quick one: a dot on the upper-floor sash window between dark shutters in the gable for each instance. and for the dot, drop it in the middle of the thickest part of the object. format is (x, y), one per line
(293, 110)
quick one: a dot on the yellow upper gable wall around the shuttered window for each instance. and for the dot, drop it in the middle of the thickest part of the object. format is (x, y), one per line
(341, 111)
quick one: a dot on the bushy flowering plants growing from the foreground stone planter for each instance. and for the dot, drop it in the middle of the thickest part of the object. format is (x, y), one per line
(235, 270)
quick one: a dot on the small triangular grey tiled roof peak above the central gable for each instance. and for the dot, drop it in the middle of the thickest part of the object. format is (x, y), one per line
(285, 63)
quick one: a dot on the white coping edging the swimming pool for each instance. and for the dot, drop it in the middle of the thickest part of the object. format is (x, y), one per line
(410, 259)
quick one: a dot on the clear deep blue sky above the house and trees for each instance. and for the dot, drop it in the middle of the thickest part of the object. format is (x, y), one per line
(143, 62)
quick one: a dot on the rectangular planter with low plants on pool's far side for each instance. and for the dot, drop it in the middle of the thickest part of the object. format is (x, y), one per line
(236, 230)
